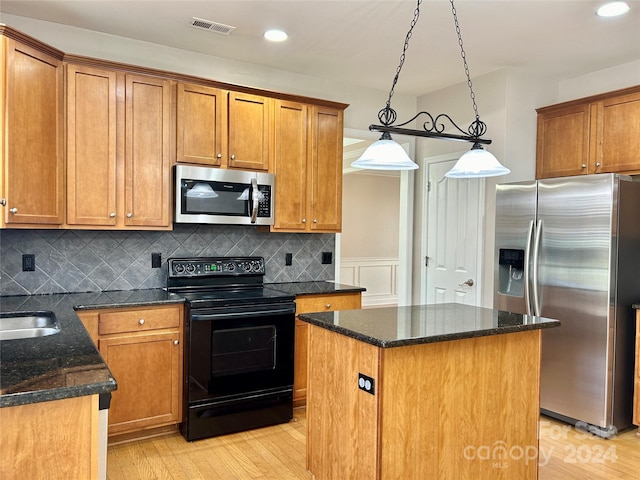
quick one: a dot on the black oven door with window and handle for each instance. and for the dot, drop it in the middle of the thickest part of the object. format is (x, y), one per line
(240, 350)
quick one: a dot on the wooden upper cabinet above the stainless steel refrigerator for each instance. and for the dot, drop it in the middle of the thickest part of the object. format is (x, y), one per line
(599, 134)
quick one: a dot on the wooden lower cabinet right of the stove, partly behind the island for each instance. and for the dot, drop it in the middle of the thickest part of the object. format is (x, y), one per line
(308, 304)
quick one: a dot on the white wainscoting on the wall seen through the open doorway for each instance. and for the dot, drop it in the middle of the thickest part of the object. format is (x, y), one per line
(377, 275)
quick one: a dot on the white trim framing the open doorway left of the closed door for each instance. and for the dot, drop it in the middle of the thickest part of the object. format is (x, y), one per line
(405, 238)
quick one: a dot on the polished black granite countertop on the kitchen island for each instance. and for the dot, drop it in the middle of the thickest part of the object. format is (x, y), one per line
(401, 326)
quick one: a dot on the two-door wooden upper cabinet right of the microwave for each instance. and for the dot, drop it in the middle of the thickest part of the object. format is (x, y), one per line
(308, 167)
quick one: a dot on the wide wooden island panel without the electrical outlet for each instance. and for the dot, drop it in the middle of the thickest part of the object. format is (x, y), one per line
(462, 409)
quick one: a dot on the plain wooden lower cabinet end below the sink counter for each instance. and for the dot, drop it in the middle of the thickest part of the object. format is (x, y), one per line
(53, 440)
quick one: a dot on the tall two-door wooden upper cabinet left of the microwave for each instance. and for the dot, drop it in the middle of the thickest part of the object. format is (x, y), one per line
(118, 149)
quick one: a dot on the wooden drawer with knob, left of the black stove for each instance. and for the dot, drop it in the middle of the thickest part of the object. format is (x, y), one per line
(138, 320)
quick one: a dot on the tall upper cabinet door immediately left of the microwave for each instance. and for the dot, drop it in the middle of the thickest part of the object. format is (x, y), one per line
(147, 145)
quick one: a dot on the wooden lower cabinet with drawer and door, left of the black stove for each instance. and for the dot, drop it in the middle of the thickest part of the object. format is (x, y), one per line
(143, 349)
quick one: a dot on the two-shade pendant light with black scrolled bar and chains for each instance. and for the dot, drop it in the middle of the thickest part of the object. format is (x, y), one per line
(386, 154)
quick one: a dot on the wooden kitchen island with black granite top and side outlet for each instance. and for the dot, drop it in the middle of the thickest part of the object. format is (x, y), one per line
(439, 391)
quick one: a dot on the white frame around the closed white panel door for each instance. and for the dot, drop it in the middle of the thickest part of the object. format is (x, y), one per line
(422, 198)
